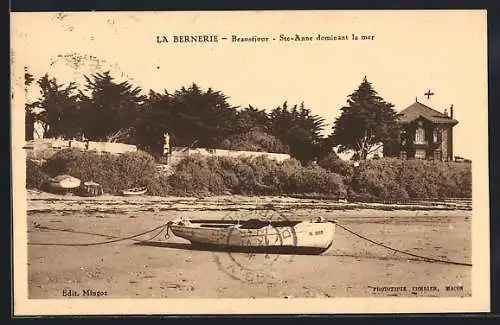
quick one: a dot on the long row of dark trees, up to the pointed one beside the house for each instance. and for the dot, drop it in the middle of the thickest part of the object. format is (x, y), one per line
(108, 110)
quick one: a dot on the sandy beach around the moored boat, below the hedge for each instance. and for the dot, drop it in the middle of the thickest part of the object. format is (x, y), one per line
(170, 268)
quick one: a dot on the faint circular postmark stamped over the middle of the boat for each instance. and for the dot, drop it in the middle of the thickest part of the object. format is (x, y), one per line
(257, 244)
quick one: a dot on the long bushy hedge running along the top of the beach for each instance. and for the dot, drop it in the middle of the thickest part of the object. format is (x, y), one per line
(379, 180)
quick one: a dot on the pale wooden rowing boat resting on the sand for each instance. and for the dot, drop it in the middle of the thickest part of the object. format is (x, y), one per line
(298, 237)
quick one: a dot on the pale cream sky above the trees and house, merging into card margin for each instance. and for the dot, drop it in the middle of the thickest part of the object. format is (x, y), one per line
(411, 52)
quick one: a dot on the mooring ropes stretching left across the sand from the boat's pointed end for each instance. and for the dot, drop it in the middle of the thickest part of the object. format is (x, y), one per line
(161, 228)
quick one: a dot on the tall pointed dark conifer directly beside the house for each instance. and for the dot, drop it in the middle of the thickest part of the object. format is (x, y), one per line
(365, 123)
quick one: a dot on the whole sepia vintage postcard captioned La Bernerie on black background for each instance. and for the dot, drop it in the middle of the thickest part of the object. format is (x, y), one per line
(256, 162)
